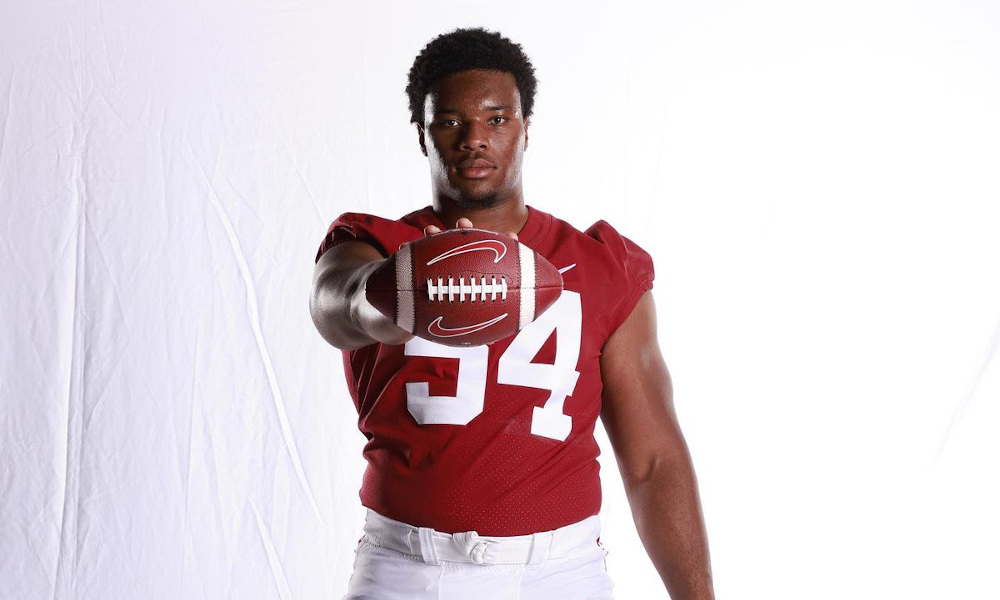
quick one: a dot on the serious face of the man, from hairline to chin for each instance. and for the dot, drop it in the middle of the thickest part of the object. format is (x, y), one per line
(474, 137)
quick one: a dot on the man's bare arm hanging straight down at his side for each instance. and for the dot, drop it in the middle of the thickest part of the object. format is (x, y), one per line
(638, 413)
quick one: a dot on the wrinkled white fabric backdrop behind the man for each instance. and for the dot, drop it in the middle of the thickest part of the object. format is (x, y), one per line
(817, 183)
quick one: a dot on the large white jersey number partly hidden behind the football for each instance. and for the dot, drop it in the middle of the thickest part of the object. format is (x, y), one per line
(564, 317)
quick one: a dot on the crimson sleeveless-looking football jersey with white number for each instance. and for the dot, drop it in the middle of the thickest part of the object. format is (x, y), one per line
(500, 438)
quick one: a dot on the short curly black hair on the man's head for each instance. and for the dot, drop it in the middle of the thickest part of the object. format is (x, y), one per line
(464, 50)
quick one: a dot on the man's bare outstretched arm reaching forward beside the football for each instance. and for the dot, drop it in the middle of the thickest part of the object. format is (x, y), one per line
(338, 305)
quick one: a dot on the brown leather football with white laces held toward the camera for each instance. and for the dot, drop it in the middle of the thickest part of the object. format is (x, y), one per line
(464, 287)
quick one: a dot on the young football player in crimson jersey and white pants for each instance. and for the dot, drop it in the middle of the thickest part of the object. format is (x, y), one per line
(499, 496)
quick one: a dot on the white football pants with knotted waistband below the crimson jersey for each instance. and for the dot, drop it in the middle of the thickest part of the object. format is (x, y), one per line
(397, 561)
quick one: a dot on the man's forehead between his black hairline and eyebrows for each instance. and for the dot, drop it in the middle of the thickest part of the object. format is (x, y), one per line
(472, 90)
